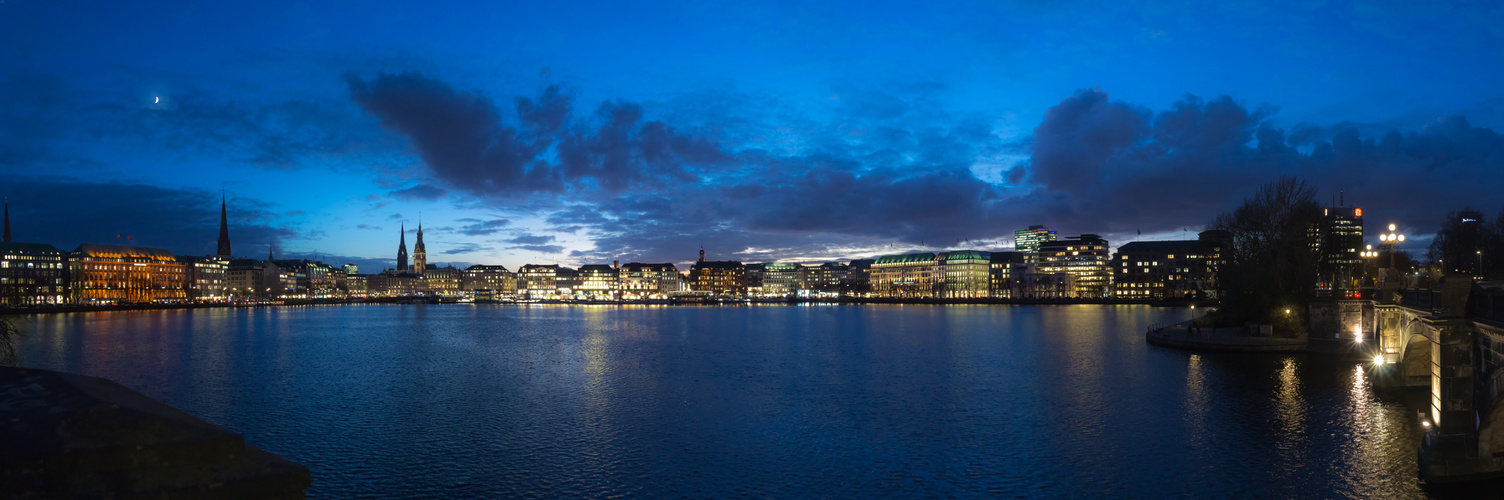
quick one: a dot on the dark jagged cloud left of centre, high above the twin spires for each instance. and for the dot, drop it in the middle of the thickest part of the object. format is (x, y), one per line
(468, 144)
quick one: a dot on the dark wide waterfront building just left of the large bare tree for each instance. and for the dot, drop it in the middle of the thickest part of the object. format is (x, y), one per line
(1157, 270)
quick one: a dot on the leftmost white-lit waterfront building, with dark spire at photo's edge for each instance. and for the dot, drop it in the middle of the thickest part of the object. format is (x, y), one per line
(31, 273)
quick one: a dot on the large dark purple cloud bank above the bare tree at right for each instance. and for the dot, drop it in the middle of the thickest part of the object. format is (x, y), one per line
(1115, 168)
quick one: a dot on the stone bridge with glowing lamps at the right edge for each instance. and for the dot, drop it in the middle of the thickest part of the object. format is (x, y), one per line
(1449, 341)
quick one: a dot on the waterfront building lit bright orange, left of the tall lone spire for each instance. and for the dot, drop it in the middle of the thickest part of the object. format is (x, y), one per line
(124, 275)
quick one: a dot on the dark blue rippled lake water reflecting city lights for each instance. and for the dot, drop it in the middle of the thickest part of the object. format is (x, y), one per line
(766, 401)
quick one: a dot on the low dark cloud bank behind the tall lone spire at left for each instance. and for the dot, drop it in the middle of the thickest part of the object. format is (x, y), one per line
(67, 213)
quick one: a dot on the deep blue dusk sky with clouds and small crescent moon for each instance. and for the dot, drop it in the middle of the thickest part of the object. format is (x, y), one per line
(551, 133)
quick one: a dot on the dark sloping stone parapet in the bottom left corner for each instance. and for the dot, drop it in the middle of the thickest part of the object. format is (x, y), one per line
(68, 436)
